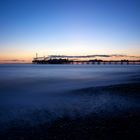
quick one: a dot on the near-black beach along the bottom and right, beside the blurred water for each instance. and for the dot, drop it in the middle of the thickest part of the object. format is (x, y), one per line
(100, 126)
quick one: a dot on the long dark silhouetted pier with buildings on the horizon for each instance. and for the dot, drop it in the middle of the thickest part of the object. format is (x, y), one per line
(65, 60)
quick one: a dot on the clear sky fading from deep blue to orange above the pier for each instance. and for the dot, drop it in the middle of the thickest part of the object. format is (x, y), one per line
(68, 27)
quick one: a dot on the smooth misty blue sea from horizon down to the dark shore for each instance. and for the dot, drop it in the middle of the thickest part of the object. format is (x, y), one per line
(38, 93)
